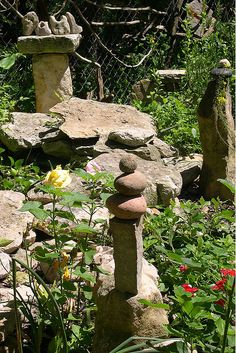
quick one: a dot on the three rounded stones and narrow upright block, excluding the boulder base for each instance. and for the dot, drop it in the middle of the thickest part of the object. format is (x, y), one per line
(128, 206)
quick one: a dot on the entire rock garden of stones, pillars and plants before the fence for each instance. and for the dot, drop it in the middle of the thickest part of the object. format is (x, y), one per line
(117, 220)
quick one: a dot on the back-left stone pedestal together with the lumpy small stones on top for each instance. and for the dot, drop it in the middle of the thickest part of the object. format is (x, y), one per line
(50, 48)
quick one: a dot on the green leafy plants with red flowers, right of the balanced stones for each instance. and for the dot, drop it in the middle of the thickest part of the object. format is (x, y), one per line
(192, 246)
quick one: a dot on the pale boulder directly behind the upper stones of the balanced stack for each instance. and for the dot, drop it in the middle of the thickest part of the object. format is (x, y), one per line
(163, 183)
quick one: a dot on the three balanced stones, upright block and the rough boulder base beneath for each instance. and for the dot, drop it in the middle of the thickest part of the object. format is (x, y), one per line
(120, 315)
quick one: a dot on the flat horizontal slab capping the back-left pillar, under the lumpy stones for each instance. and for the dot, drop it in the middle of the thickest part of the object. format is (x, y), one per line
(48, 44)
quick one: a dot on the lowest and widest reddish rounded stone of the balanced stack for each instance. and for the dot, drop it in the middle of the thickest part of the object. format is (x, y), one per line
(126, 207)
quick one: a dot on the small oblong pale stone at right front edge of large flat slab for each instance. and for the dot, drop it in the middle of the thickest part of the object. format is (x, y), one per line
(133, 137)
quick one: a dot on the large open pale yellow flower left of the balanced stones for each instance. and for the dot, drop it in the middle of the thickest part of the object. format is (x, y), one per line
(58, 178)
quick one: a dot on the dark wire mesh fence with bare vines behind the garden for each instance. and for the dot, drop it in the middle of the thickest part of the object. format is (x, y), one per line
(126, 34)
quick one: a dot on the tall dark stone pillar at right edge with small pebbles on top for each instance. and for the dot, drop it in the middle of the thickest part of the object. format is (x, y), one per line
(216, 127)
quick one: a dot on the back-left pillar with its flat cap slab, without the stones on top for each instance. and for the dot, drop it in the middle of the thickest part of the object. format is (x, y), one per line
(51, 71)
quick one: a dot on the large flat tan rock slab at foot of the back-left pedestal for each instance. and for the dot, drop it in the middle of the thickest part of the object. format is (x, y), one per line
(91, 119)
